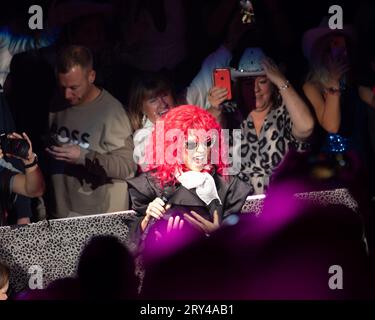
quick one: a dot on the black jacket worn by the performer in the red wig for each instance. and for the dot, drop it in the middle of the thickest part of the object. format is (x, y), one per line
(145, 188)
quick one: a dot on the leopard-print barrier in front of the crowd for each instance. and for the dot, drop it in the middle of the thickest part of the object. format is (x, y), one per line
(55, 245)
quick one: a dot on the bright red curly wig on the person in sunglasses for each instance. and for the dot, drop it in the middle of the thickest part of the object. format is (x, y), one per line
(183, 119)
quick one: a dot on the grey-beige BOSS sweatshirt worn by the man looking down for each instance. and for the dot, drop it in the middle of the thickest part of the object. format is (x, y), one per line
(96, 183)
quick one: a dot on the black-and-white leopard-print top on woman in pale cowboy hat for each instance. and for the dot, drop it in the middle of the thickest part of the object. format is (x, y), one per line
(260, 156)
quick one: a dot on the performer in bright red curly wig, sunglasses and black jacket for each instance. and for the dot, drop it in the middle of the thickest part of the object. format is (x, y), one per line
(187, 178)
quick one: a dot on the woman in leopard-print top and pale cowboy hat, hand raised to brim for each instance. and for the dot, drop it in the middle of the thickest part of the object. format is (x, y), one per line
(275, 117)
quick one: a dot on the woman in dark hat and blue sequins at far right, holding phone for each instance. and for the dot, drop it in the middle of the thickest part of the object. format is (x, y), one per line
(331, 90)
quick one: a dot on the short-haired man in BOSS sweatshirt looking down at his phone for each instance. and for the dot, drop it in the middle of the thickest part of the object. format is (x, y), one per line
(93, 152)
